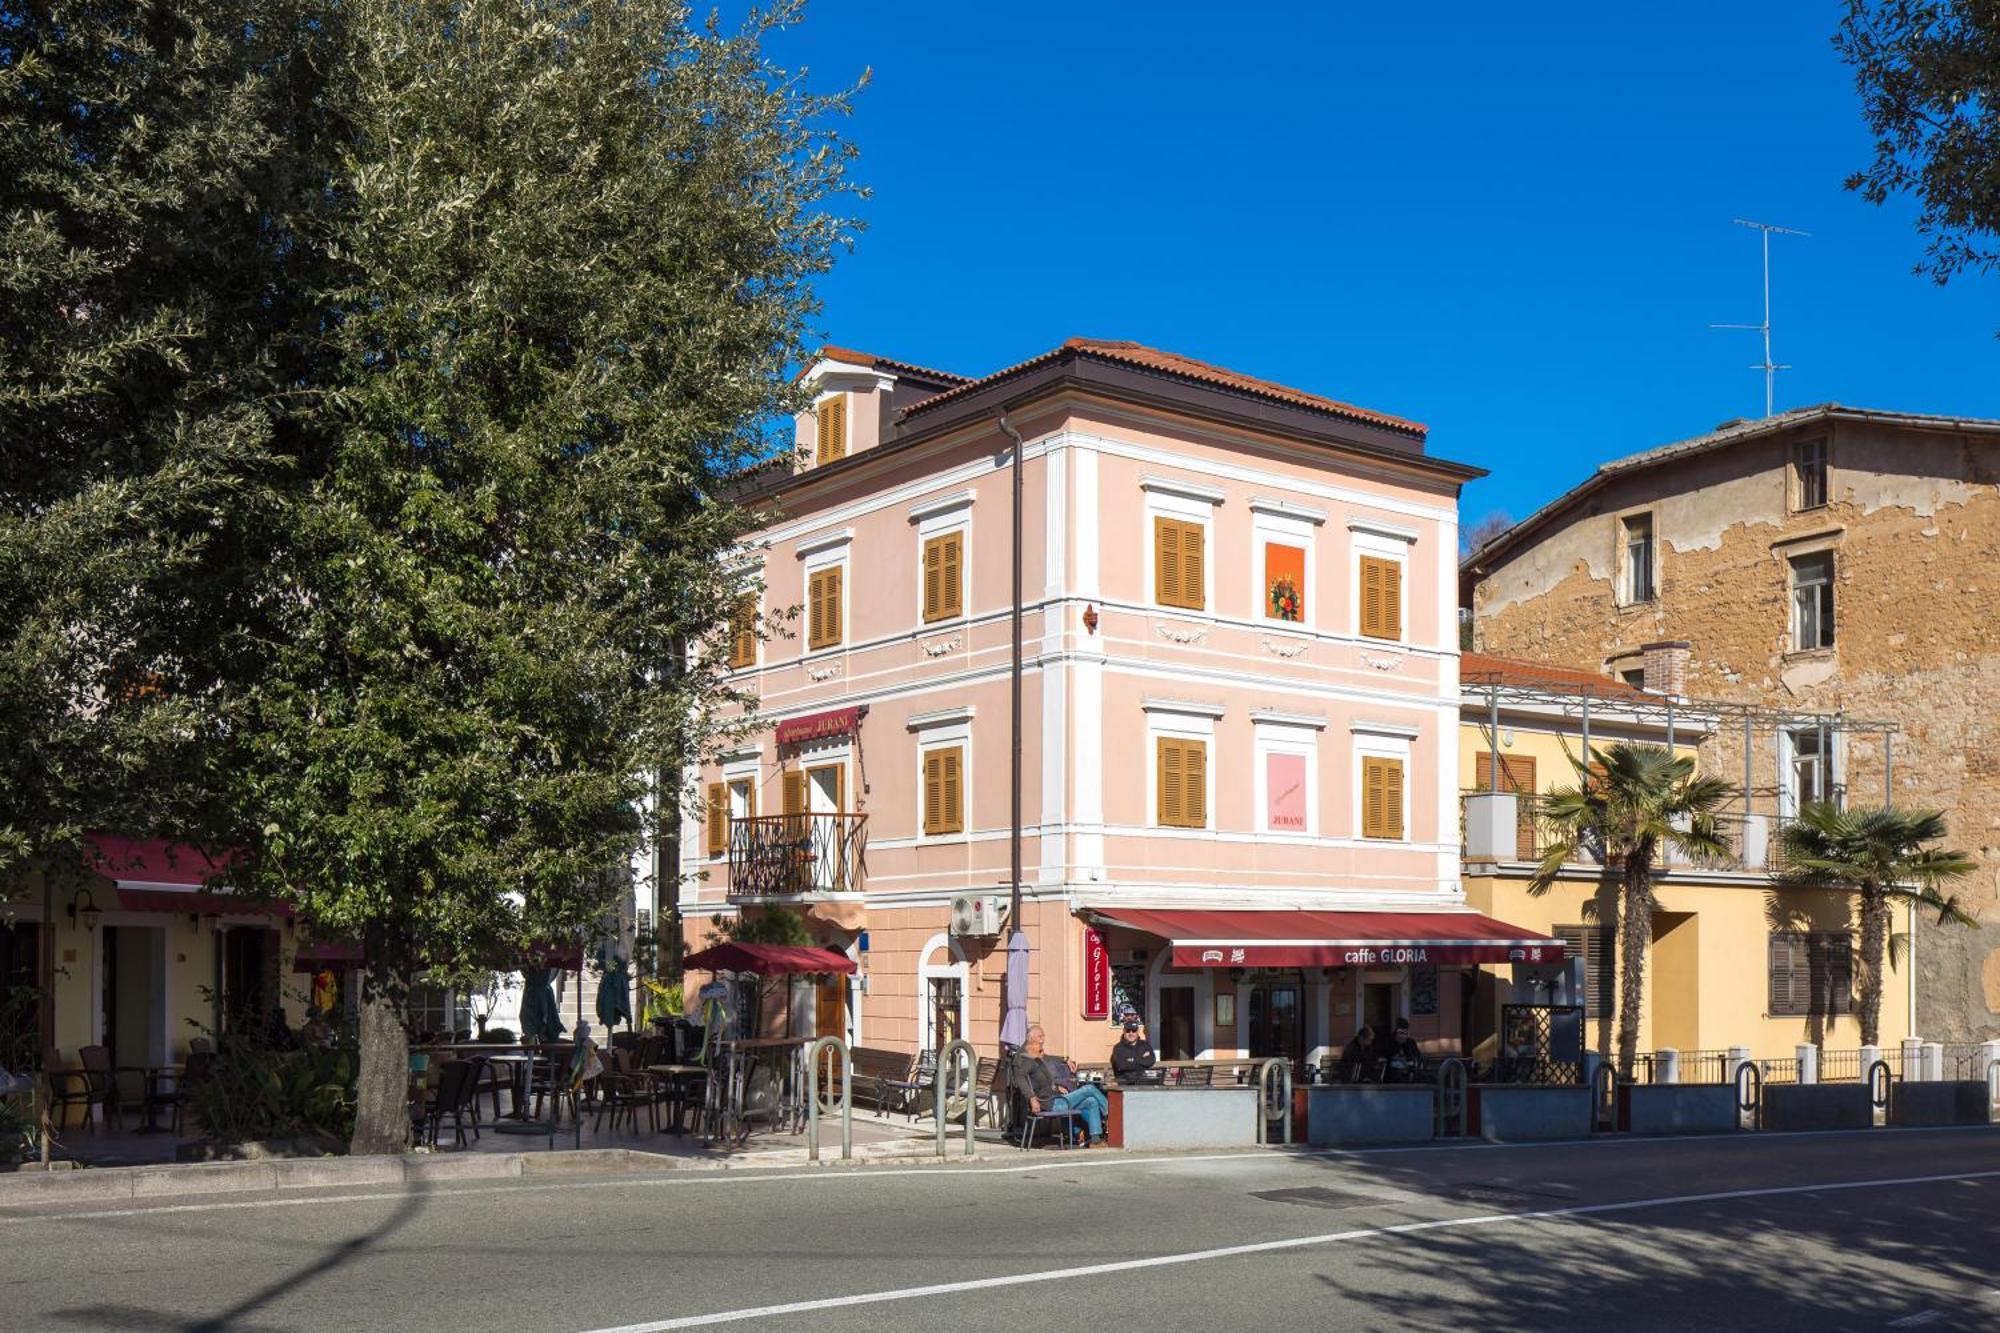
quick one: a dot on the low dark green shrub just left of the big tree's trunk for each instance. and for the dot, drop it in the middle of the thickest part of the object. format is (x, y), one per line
(257, 1094)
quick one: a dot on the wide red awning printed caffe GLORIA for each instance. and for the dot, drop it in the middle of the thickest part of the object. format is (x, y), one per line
(1335, 940)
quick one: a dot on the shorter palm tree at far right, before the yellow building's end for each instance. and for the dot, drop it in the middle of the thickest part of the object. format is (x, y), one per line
(1883, 858)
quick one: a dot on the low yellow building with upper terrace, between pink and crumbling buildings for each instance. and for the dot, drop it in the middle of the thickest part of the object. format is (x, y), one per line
(1735, 960)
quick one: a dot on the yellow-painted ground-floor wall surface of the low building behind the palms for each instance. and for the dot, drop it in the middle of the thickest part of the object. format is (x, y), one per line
(1709, 962)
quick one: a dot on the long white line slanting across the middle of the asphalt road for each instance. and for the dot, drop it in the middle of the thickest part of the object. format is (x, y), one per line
(1265, 1248)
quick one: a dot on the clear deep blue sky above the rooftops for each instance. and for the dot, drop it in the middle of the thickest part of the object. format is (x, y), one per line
(1511, 223)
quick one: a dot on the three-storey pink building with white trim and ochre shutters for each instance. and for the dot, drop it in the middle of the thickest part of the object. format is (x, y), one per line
(1239, 776)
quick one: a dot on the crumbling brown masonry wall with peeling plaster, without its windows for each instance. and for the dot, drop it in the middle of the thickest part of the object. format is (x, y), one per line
(1915, 527)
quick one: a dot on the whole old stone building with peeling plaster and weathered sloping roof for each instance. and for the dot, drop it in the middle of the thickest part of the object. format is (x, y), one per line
(1821, 559)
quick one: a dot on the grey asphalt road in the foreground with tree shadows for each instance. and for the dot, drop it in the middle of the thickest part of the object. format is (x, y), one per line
(1891, 1230)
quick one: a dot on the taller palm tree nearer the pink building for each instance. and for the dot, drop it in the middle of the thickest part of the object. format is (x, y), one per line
(1627, 806)
